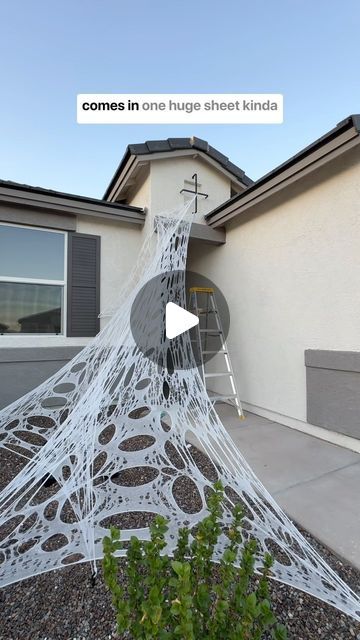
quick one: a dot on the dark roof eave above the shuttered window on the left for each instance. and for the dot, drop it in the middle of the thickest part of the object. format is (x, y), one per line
(48, 199)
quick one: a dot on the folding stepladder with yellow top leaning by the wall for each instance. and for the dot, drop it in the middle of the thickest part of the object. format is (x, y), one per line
(203, 304)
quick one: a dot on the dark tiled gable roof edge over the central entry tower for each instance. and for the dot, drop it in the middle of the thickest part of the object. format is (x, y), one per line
(152, 147)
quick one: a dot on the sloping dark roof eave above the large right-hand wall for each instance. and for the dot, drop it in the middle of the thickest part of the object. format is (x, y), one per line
(335, 141)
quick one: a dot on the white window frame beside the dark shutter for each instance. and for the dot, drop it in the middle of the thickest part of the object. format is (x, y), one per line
(62, 283)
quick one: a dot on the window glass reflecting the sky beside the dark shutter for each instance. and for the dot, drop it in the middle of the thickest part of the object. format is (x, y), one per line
(32, 280)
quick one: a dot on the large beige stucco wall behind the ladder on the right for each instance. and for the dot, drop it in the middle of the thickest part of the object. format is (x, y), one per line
(290, 271)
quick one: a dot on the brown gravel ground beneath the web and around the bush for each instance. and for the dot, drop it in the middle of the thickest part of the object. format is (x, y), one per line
(66, 605)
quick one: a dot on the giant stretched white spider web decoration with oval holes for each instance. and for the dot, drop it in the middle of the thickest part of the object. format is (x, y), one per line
(79, 427)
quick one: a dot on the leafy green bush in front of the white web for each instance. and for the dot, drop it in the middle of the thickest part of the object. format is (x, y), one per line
(188, 596)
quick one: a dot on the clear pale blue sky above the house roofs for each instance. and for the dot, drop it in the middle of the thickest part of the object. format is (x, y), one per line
(50, 51)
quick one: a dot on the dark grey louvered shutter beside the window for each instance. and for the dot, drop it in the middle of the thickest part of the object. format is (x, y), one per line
(83, 299)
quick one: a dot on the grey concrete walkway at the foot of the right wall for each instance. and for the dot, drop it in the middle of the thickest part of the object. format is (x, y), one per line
(316, 483)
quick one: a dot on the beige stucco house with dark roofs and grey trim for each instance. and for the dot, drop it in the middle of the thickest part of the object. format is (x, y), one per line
(284, 250)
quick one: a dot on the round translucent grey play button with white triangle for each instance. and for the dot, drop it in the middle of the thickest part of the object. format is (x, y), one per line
(180, 320)
